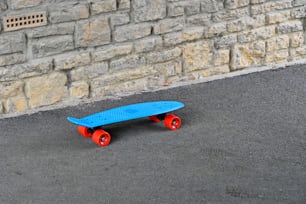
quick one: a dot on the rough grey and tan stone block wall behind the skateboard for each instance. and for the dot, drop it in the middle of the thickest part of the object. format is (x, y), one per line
(92, 49)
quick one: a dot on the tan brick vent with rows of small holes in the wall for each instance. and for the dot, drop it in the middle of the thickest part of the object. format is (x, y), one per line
(29, 20)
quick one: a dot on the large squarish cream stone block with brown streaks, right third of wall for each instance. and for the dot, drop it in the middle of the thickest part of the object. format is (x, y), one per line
(246, 55)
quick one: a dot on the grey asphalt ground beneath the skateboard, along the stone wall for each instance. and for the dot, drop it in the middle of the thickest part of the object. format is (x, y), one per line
(243, 140)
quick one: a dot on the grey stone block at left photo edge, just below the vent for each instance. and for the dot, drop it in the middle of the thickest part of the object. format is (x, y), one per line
(12, 42)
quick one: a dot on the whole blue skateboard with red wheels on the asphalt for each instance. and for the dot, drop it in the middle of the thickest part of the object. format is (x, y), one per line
(91, 126)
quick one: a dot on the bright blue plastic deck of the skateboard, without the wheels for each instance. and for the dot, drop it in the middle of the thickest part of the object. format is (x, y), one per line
(128, 112)
